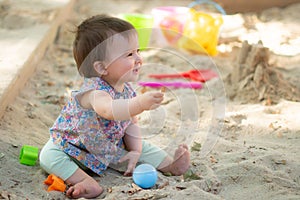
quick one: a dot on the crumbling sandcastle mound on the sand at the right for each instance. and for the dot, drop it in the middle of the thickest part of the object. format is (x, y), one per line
(254, 80)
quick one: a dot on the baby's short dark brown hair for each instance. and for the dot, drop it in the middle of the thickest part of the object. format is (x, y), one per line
(90, 33)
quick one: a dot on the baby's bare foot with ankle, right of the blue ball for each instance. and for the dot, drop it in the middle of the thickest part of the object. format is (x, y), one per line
(179, 164)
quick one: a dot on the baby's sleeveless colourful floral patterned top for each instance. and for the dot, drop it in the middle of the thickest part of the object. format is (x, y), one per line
(83, 134)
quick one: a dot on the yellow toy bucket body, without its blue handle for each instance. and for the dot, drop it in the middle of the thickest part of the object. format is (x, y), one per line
(201, 33)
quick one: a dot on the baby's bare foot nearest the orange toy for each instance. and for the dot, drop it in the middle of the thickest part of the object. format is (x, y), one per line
(83, 185)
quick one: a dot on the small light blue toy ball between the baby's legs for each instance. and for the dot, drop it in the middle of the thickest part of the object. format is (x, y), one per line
(145, 176)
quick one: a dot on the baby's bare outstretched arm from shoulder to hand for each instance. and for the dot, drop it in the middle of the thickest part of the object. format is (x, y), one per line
(120, 109)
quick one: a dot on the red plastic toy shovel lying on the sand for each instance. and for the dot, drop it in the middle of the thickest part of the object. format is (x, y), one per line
(201, 75)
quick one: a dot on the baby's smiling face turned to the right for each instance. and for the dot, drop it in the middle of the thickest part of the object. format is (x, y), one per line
(123, 59)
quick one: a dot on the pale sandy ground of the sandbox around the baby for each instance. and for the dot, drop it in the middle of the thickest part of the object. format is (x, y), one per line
(244, 145)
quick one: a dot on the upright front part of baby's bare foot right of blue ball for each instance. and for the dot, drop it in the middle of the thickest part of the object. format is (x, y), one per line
(181, 162)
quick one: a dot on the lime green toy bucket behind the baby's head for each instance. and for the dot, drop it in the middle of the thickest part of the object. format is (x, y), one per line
(143, 24)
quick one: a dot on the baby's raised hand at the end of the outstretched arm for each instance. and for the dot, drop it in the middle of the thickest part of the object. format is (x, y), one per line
(150, 100)
